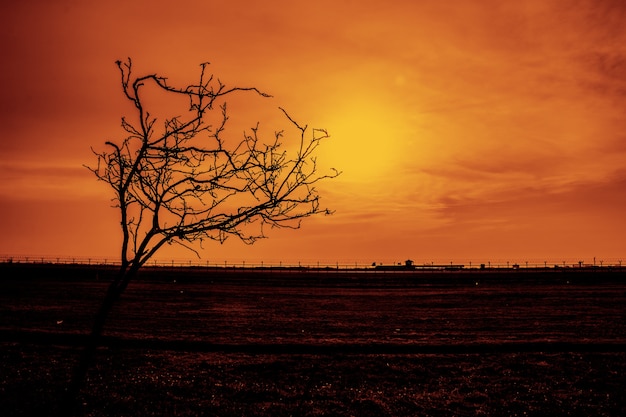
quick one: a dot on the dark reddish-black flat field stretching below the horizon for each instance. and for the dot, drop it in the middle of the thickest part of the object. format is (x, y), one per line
(193, 342)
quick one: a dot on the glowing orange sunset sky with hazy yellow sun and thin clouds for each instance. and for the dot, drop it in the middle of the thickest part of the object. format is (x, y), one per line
(464, 130)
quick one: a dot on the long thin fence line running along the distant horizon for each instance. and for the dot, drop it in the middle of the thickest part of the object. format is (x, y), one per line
(384, 267)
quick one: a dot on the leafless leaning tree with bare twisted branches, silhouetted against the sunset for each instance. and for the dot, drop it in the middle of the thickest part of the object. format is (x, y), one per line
(181, 180)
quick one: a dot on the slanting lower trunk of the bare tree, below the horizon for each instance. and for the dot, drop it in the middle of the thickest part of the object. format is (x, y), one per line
(69, 402)
